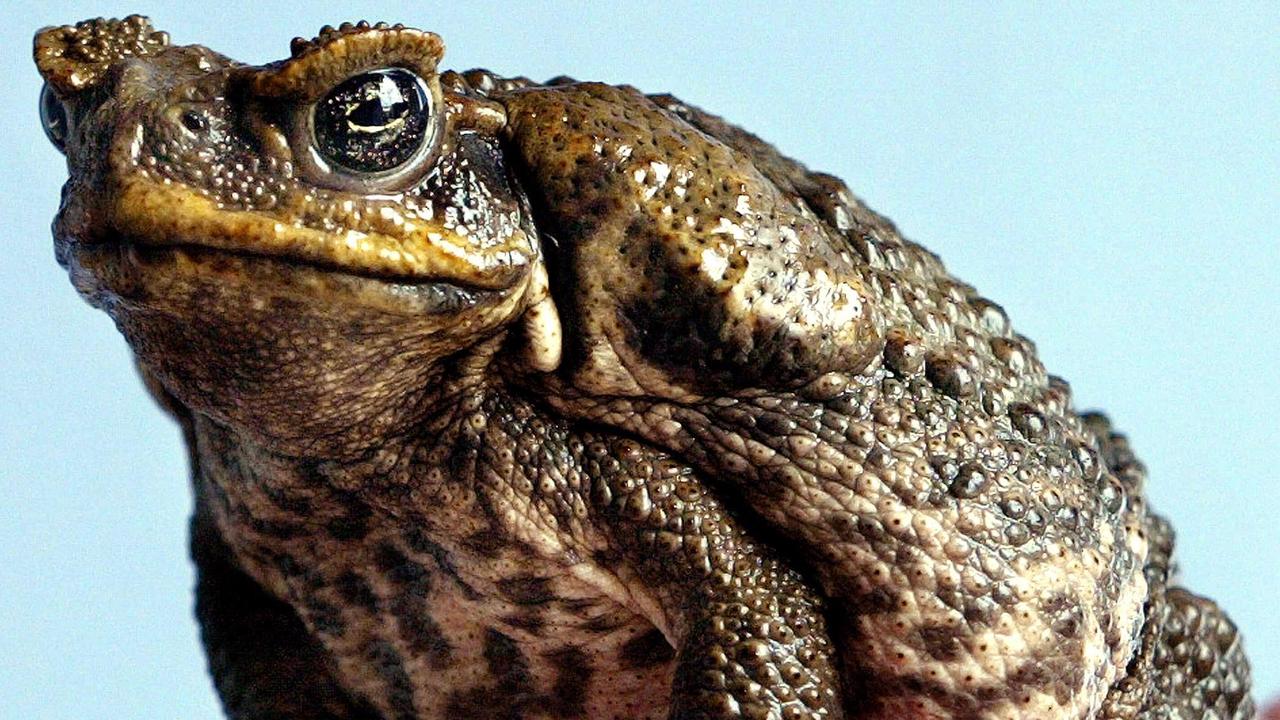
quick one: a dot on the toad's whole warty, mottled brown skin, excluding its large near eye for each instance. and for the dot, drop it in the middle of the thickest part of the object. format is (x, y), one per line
(596, 408)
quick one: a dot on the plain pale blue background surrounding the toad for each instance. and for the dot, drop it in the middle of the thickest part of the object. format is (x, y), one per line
(1112, 179)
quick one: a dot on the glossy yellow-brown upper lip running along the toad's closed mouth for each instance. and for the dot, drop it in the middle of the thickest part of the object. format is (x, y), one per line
(162, 215)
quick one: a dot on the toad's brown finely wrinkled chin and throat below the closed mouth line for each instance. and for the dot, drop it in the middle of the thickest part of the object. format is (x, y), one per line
(275, 348)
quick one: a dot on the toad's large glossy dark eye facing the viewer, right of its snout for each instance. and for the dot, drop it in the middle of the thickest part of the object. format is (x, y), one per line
(373, 122)
